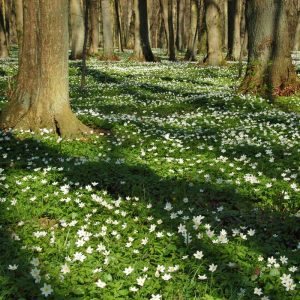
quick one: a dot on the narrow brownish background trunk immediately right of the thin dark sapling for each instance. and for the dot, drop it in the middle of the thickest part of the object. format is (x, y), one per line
(94, 27)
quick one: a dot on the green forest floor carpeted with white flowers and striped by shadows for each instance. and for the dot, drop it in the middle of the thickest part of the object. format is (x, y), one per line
(193, 194)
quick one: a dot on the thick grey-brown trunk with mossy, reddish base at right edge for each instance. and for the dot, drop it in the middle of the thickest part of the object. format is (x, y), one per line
(269, 71)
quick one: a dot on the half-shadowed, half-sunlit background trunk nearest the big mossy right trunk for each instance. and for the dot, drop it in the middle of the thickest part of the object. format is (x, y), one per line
(235, 22)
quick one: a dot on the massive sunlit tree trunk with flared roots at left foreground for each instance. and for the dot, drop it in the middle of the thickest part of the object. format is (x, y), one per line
(41, 100)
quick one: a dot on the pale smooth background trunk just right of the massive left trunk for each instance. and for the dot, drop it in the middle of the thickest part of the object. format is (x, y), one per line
(77, 29)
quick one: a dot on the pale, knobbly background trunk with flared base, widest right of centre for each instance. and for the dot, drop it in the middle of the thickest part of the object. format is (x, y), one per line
(214, 33)
